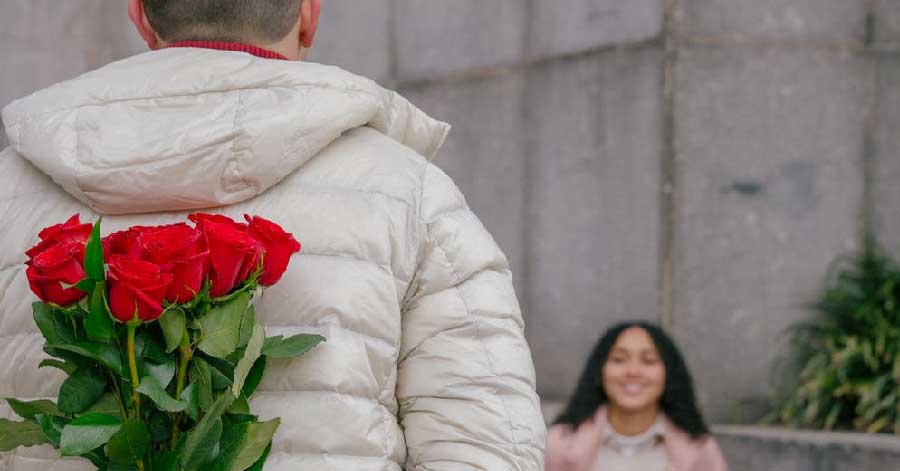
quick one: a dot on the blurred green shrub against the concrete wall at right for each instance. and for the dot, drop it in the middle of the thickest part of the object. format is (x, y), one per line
(846, 360)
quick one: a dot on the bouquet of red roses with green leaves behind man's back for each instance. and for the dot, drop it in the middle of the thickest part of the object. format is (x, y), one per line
(155, 328)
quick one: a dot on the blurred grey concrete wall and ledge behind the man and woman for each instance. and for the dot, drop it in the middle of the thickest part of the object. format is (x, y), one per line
(698, 163)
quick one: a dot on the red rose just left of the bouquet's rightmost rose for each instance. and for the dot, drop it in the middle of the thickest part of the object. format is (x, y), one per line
(233, 254)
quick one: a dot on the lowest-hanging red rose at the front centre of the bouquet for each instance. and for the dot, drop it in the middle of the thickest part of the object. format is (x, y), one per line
(136, 286)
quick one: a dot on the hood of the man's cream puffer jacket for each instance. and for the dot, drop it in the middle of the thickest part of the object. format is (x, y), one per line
(181, 129)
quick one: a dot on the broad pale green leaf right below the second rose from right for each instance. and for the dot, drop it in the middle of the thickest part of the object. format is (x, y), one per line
(221, 327)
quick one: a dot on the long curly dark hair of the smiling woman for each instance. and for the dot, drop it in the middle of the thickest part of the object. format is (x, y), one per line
(678, 400)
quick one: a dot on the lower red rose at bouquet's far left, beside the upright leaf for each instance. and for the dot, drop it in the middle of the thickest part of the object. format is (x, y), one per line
(50, 269)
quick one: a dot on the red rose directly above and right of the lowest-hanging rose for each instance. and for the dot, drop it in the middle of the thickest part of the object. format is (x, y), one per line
(177, 249)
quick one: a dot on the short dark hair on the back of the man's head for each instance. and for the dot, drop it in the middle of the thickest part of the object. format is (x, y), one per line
(222, 20)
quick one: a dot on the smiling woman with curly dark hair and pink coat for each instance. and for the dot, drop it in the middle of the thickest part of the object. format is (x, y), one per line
(633, 410)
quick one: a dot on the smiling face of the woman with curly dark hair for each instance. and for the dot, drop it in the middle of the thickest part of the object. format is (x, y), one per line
(634, 375)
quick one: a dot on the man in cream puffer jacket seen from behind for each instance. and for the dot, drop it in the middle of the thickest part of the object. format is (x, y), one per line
(425, 367)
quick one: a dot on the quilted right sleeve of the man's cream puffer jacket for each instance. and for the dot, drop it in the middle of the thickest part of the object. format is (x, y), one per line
(466, 383)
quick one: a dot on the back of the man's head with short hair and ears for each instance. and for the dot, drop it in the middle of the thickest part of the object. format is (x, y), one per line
(286, 26)
